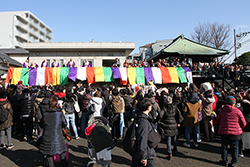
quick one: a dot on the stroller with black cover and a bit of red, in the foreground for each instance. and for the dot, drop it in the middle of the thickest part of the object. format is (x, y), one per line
(100, 141)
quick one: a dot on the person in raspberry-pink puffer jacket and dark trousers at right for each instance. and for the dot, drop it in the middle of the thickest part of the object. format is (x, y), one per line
(231, 123)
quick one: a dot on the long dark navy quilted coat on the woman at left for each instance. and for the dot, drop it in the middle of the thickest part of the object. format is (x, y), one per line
(53, 139)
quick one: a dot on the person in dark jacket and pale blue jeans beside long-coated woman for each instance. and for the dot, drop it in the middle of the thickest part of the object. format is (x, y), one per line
(68, 106)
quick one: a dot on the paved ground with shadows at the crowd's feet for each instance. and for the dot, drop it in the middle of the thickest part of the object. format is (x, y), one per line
(207, 154)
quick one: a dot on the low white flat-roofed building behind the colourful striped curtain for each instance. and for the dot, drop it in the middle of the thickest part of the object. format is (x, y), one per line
(98, 53)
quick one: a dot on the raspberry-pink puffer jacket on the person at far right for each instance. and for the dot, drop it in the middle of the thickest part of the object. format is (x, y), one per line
(231, 121)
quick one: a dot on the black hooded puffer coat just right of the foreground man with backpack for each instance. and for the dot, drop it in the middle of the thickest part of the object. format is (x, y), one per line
(170, 118)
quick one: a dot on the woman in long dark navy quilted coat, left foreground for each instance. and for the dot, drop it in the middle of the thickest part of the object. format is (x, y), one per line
(53, 140)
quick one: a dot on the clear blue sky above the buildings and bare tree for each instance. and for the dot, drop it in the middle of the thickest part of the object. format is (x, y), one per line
(139, 21)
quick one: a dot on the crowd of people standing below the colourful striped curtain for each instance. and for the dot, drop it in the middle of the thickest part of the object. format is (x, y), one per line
(36, 113)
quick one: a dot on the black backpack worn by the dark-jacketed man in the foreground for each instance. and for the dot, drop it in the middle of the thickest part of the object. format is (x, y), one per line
(129, 143)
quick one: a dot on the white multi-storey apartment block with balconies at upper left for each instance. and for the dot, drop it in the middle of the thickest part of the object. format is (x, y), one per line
(22, 26)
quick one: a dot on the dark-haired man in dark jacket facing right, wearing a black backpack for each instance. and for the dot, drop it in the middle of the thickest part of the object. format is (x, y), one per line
(144, 154)
